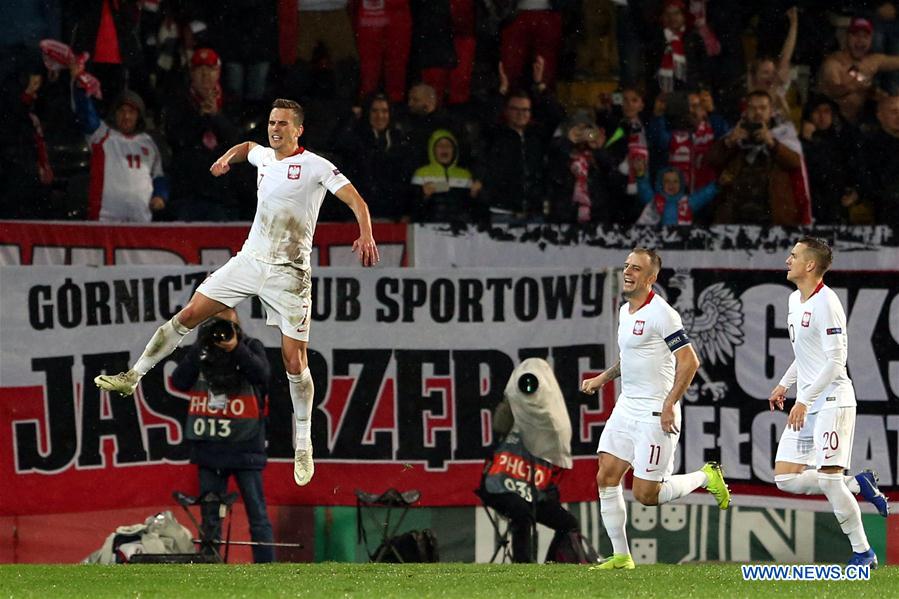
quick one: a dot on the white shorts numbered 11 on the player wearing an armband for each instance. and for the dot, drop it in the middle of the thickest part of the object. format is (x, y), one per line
(644, 445)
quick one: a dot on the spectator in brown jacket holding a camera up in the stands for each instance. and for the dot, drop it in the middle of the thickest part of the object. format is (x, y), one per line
(757, 161)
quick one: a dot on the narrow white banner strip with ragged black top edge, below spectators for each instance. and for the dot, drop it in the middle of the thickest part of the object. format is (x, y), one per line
(724, 247)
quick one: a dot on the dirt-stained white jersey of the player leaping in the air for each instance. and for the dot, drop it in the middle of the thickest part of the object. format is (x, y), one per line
(290, 193)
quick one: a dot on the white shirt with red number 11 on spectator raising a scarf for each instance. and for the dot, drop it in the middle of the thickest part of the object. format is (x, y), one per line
(122, 171)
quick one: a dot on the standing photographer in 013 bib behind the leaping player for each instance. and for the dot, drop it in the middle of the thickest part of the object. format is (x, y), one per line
(226, 374)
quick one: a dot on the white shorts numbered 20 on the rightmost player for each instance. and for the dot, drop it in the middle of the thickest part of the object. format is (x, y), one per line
(824, 440)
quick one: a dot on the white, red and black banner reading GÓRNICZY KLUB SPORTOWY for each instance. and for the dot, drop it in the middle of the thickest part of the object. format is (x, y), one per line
(408, 366)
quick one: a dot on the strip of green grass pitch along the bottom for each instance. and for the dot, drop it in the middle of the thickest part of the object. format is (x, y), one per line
(383, 581)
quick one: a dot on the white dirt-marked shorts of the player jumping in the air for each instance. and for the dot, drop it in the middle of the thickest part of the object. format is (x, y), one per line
(285, 291)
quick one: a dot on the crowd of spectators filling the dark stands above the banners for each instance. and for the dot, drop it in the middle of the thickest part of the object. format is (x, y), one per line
(718, 111)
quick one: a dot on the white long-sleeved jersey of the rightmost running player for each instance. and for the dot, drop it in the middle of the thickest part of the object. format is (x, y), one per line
(816, 326)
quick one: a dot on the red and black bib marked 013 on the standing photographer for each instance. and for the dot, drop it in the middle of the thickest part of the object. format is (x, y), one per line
(217, 417)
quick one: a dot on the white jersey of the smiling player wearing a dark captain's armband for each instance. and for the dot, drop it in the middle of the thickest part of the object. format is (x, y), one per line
(647, 340)
